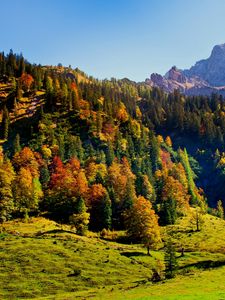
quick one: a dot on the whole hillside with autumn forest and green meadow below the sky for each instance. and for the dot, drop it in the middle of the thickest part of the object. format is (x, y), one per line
(98, 191)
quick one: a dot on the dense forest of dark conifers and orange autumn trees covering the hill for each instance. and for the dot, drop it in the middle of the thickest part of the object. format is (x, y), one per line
(99, 155)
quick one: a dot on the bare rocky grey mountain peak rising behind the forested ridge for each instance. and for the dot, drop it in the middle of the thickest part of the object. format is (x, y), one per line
(207, 76)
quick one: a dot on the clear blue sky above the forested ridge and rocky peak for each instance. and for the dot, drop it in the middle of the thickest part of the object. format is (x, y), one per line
(113, 38)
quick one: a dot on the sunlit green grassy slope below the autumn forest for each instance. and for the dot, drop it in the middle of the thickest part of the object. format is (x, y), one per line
(41, 259)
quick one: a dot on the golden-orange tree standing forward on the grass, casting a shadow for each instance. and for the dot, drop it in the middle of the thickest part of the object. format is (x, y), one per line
(142, 223)
